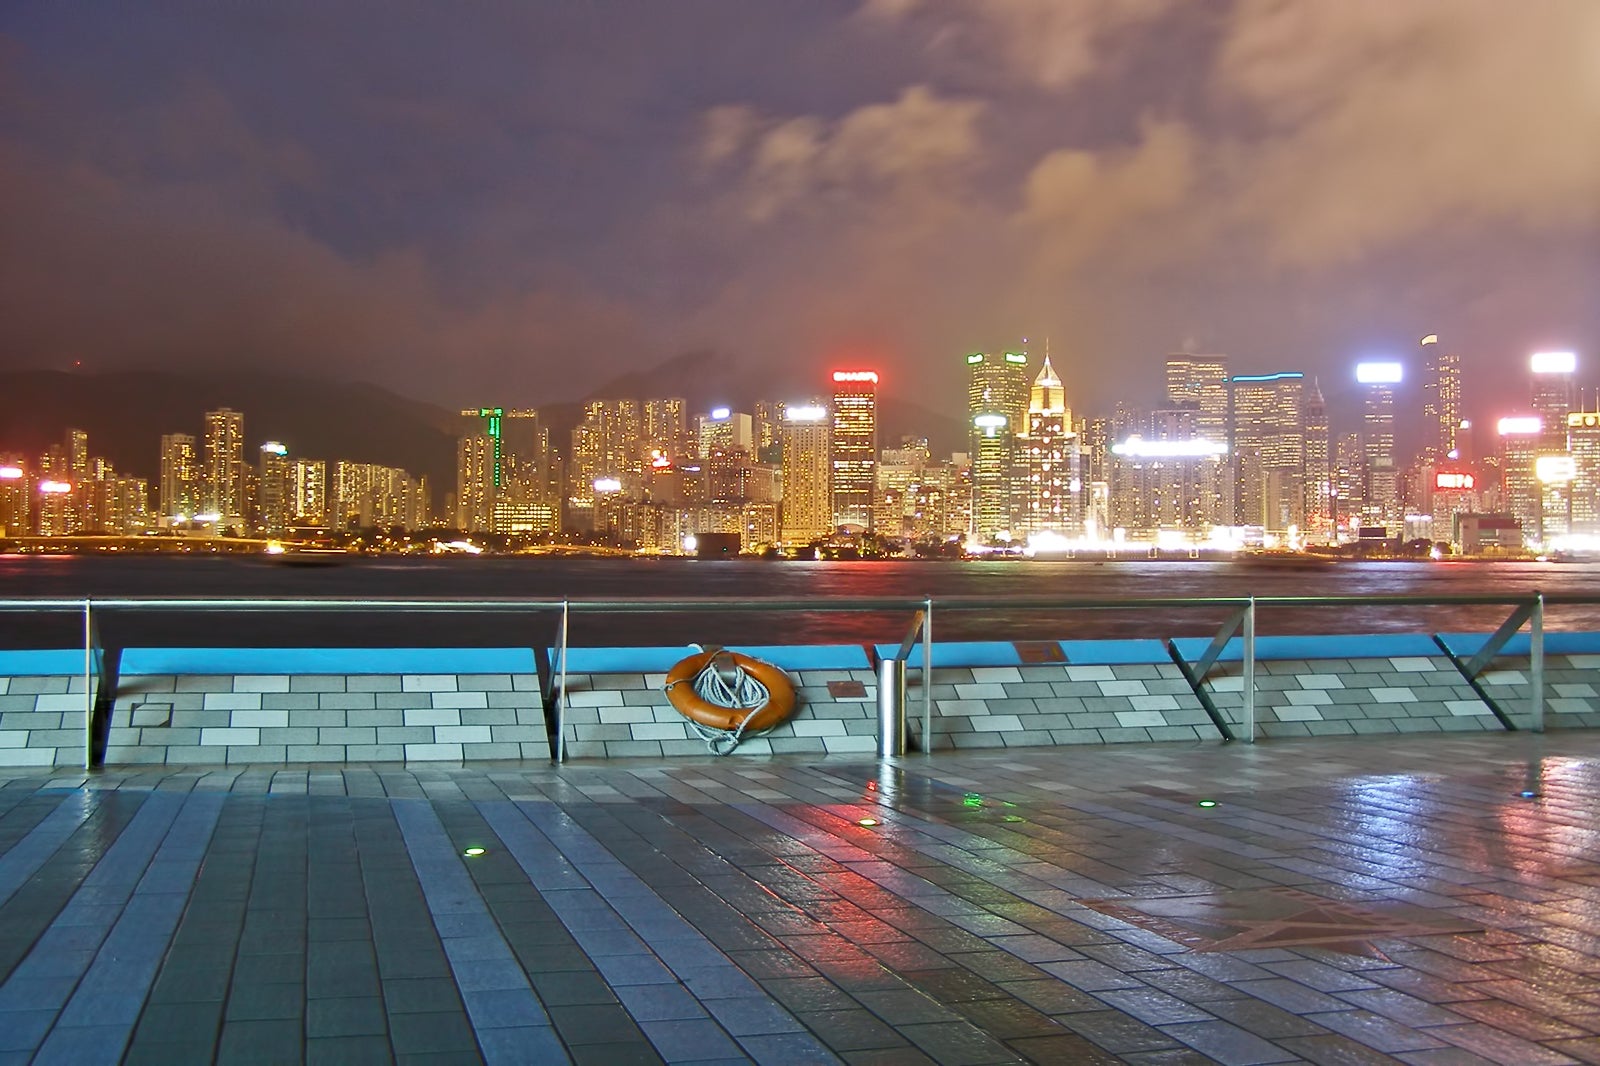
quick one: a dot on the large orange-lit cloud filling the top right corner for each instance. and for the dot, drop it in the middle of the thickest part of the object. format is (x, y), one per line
(1388, 122)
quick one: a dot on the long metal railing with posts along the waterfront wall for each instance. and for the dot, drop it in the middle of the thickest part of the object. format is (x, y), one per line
(1527, 611)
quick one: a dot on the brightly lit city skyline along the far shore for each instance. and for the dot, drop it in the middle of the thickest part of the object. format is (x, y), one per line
(1230, 460)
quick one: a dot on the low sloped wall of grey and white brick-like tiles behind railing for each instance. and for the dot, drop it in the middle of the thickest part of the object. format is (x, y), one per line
(617, 707)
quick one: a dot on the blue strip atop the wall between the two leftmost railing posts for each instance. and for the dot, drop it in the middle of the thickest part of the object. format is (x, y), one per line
(145, 662)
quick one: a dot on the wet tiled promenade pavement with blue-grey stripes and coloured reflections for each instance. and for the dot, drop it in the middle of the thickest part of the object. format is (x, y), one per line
(1418, 900)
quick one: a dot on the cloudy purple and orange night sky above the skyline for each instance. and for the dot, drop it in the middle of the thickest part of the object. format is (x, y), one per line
(518, 202)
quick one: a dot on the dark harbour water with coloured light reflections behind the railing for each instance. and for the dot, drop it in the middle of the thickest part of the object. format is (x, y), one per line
(670, 579)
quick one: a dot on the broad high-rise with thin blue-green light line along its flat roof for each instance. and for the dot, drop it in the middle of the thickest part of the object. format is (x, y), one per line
(1270, 452)
